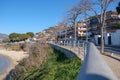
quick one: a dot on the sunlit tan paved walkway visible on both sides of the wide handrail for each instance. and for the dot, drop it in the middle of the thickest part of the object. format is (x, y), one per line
(112, 63)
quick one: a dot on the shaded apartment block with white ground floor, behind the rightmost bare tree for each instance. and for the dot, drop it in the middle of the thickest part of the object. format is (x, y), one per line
(112, 26)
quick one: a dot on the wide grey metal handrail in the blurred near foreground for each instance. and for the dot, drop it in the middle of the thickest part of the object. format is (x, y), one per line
(94, 67)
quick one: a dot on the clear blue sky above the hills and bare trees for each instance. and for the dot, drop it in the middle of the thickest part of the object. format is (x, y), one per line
(22, 16)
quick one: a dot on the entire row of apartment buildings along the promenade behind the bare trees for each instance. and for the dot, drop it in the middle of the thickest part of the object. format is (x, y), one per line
(93, 27)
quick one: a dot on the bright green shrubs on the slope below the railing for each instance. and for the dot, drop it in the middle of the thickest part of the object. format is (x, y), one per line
(57, 67)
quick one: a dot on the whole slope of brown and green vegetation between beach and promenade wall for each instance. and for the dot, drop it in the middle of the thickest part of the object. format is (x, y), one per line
(48, 64)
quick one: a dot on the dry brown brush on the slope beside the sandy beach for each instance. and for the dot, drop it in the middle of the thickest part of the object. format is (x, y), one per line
(37, 55)
